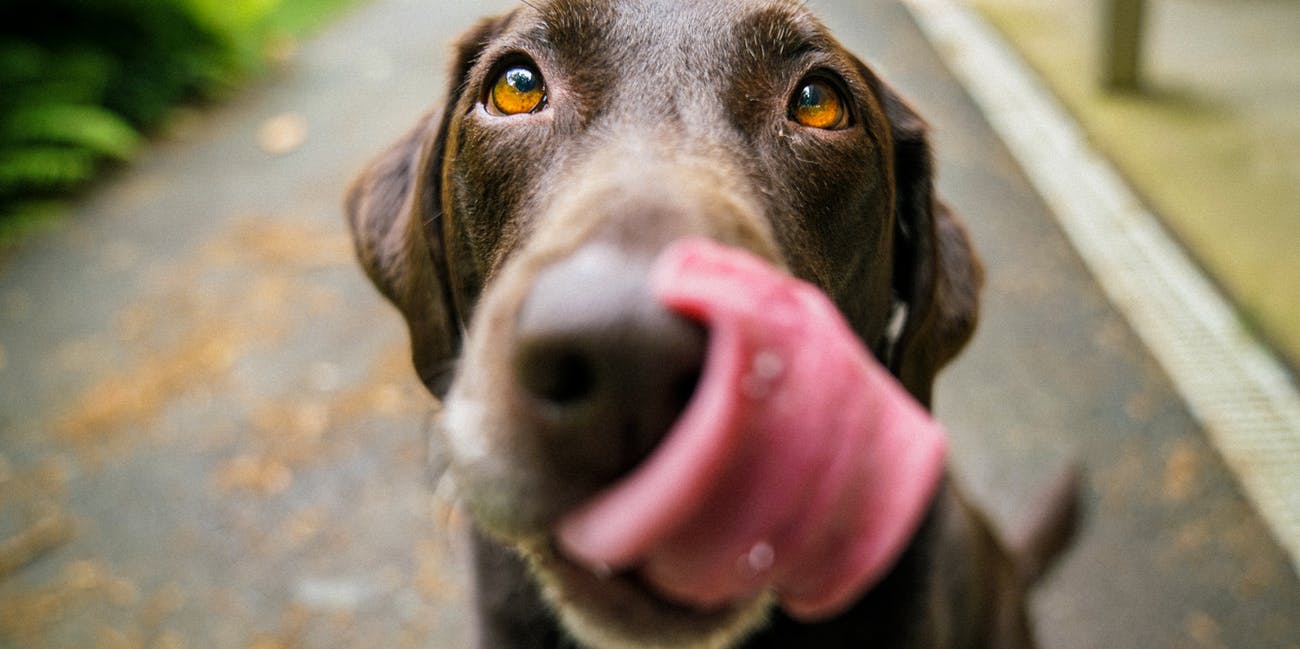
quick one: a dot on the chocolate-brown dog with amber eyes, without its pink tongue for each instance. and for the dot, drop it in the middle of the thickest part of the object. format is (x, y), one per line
(514, 230)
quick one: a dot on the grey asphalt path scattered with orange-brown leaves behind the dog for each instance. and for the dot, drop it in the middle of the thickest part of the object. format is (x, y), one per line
(210, 435)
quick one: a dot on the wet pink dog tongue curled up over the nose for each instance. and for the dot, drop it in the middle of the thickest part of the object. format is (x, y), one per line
(800, 465)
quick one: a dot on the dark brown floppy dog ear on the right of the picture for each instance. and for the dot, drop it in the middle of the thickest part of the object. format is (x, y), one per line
(937, 274)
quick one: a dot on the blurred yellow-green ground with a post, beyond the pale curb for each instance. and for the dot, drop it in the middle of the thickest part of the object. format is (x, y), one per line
(1203, 120)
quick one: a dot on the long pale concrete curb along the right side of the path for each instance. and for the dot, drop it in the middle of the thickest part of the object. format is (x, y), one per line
(1234, 387)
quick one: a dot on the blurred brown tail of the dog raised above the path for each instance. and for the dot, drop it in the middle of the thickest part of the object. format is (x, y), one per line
(1051, 527)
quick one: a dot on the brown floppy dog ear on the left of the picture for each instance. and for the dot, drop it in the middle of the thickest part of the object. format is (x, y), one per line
(395, 210)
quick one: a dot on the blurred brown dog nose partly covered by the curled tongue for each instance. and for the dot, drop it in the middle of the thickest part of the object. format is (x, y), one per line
(604, 369)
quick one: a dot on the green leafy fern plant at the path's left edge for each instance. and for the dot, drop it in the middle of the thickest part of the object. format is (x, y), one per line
(83, 81)
